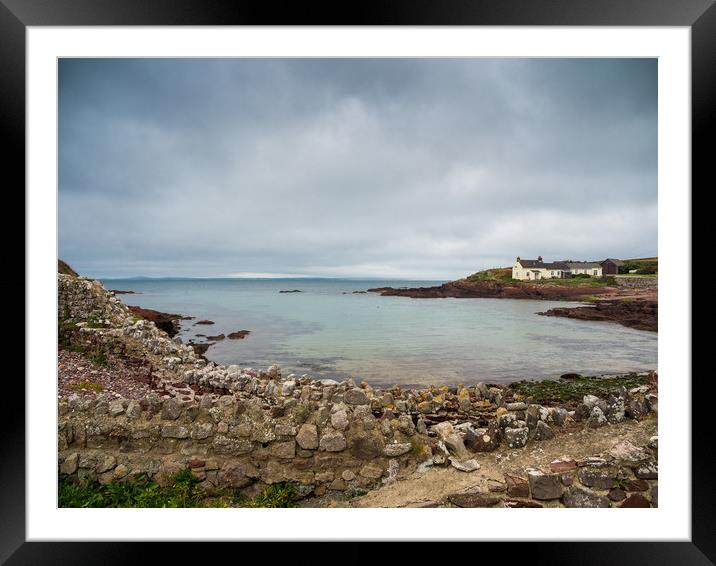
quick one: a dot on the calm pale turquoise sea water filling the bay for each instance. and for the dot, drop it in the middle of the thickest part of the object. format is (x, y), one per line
(327, 331)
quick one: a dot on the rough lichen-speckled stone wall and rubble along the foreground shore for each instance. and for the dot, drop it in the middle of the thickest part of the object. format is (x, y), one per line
(239, 427)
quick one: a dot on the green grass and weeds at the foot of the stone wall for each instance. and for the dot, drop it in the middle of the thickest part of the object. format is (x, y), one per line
(182, 490)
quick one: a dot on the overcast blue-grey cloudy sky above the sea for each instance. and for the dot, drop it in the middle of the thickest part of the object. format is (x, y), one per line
(410, 168)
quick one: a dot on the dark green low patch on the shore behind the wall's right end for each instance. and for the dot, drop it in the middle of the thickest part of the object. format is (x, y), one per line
(557, 391)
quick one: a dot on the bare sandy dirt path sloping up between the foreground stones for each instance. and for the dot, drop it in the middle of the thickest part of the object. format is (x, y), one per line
(426, 489)
